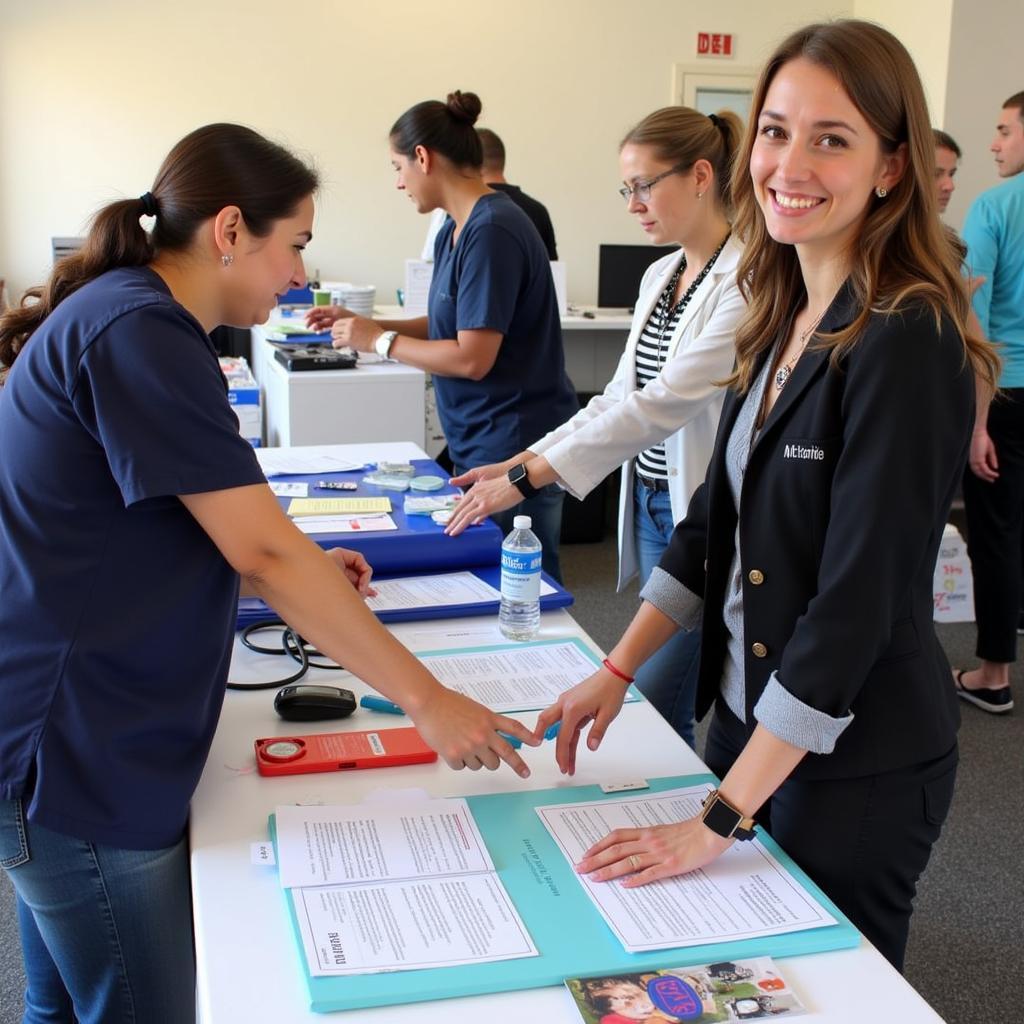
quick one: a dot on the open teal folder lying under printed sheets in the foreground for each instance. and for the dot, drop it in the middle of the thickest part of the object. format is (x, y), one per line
(570, 934)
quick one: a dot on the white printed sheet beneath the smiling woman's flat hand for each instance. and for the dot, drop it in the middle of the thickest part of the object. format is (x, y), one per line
(744, 894)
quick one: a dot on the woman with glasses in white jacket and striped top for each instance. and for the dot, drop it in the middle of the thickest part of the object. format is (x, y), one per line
(659, 414)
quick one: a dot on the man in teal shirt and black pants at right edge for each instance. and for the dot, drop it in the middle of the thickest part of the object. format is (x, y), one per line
(994, 485)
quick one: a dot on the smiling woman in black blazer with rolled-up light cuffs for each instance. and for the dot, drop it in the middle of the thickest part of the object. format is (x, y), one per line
(808, 552)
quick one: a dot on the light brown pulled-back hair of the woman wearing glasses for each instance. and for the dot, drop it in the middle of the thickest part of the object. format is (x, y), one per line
(681, 137)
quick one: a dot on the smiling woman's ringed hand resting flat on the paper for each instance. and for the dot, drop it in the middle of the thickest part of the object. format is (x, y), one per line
(653, 854)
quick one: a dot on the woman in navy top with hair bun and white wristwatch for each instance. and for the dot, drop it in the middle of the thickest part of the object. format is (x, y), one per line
(492, 337)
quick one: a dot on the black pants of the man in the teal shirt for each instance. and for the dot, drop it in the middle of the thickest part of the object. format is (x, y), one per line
(995, 527)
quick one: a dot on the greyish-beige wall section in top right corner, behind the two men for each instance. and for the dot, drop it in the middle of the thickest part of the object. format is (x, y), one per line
(986, 68)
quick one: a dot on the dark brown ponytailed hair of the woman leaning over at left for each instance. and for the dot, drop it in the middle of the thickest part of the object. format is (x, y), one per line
(216, 166)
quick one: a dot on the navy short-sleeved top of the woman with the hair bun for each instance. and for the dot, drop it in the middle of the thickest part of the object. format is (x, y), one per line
(498, 278)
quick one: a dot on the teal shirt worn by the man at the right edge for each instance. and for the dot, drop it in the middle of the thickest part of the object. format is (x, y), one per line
(994, 233)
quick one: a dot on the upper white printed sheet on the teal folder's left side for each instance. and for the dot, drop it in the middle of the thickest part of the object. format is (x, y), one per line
(374, 842)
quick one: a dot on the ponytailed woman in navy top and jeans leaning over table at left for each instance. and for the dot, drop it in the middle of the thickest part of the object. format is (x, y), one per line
(130, 509)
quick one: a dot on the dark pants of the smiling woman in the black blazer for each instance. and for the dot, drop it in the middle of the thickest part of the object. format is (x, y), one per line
(865, 841)
